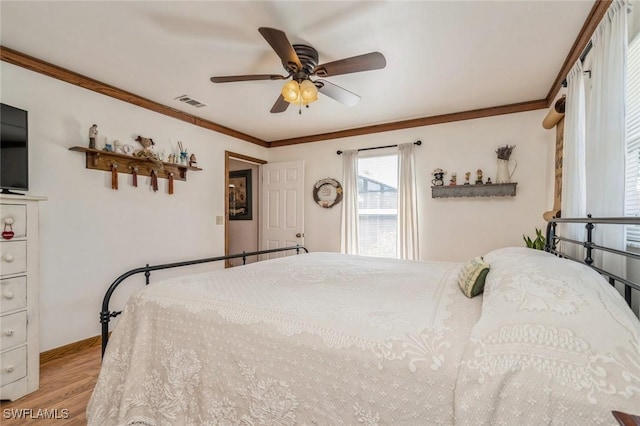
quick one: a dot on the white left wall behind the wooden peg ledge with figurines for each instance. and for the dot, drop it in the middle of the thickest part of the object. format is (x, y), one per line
(91, 233)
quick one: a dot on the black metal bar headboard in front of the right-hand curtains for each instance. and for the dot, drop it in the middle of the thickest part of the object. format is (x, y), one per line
(553, 241)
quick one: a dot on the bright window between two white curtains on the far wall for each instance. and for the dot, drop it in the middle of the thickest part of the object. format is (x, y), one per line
(378, 205)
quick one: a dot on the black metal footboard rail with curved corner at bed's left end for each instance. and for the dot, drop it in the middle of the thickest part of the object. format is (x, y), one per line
(106, 314)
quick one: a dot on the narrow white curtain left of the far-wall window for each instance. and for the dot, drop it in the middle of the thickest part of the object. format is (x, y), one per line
(350, 202)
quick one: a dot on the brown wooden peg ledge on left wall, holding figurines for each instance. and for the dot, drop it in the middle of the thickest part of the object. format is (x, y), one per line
(104, 160)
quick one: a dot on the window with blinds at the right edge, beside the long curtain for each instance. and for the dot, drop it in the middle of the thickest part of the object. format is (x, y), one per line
(632, 189)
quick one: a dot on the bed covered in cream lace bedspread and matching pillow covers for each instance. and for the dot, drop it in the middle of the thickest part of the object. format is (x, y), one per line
(334, 339)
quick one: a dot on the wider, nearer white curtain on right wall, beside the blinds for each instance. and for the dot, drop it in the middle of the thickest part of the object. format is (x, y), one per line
(605, 131)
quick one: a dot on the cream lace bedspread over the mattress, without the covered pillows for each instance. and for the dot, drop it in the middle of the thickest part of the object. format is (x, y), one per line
(321, 338)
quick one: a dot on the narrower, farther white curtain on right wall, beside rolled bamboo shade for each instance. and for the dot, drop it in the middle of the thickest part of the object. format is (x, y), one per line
(573, 161)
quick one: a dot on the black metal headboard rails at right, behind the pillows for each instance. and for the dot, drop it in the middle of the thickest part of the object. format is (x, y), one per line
(552, 240)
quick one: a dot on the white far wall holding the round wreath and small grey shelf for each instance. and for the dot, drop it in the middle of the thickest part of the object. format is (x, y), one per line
(450, 229)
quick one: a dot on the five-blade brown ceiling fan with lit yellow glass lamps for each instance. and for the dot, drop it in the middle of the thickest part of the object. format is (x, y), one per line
(300, 61)
